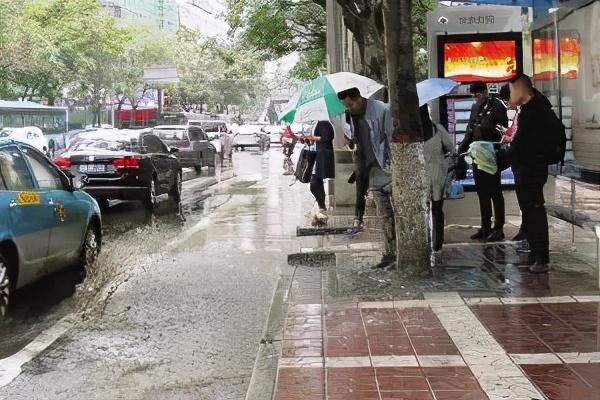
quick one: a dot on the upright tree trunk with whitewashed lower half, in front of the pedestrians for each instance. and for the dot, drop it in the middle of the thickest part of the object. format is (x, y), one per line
(409, 186)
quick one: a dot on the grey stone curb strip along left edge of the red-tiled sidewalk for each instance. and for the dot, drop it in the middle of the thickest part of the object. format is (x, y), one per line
(264, 374)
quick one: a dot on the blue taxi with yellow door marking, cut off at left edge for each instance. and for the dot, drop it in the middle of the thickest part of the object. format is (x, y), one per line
(46, 223)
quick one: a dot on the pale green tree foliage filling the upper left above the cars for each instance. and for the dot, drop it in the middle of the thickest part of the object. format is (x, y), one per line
(49, 46)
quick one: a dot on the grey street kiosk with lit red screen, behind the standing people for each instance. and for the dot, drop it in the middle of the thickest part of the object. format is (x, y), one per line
(469, 44)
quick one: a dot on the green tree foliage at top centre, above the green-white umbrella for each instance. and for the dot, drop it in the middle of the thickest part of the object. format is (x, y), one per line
(281, 27)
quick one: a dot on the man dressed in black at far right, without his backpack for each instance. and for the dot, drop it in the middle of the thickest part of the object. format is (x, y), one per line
(530, 167)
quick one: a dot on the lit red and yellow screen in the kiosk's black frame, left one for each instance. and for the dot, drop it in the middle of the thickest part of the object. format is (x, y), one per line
(487, 61)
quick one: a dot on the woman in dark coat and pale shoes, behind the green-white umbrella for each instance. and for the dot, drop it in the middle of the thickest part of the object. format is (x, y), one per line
(324, 164)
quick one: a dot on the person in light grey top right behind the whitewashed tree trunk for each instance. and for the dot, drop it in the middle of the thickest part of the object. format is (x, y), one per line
(436, 150)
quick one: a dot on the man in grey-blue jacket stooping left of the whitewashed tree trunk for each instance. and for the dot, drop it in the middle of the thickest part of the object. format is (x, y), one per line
(371, 125)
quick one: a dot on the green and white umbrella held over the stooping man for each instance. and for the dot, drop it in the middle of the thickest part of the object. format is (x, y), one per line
(318, 101)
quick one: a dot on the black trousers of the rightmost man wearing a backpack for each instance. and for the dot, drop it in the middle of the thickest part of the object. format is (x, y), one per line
(535, 221)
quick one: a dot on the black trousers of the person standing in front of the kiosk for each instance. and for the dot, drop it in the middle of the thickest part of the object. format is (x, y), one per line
(489, 191)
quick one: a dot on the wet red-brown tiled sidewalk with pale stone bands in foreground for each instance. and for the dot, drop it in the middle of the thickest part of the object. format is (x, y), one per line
(442, 347)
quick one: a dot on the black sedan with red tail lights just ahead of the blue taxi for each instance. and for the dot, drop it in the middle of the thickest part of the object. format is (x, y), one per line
(123, 165)
